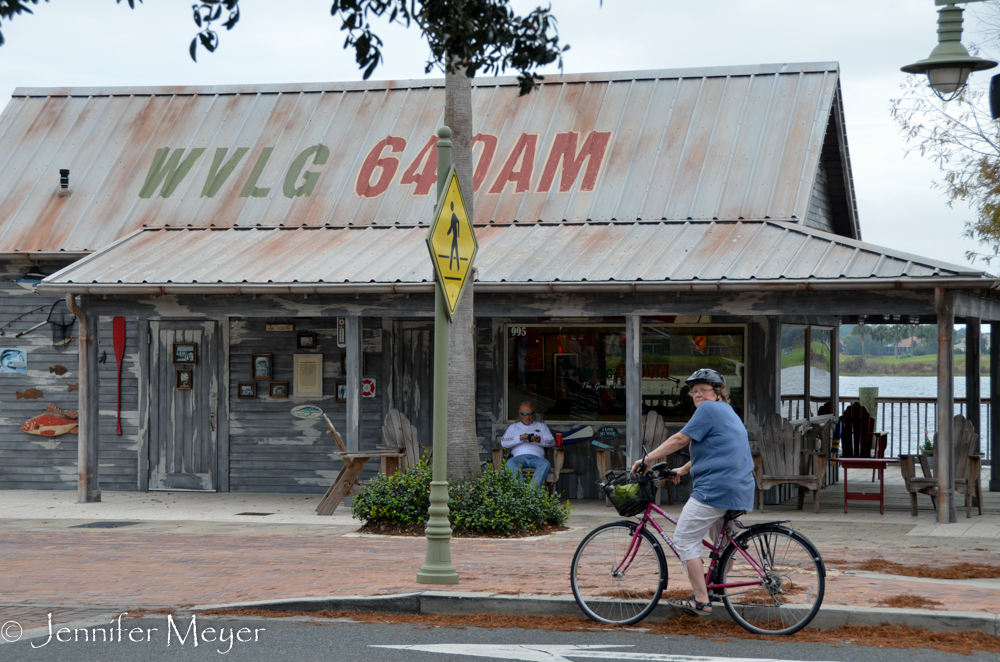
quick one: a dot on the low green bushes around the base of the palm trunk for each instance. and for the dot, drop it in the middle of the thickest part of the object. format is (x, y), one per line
(496, 502)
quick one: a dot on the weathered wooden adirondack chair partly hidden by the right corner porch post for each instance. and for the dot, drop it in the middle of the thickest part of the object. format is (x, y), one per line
(968, 470)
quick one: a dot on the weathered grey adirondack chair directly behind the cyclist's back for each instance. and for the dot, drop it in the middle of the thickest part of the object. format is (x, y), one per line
(783, 460)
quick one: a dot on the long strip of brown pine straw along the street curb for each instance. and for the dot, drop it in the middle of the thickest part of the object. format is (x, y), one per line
(880, 636)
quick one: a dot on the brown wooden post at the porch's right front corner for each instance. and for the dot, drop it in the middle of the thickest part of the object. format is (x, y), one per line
(944, 454)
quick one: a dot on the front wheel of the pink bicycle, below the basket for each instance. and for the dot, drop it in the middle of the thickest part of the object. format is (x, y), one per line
(615, 582)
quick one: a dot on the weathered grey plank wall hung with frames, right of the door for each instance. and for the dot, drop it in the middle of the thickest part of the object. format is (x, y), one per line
(269, 449)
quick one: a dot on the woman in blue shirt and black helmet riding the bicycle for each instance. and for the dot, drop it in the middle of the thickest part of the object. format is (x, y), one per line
(722, 470)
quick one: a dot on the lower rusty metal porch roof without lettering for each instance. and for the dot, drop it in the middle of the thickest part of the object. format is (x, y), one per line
(744, 254)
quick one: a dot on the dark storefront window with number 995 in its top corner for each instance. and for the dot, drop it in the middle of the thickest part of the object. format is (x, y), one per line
(568, 372)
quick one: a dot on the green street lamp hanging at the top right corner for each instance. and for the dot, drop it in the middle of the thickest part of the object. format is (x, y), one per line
(949, 64)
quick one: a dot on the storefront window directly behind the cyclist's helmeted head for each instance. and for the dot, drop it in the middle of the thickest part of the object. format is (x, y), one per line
(671, 353)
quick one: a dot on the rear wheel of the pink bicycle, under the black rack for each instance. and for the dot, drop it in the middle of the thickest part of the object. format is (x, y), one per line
(791, 591)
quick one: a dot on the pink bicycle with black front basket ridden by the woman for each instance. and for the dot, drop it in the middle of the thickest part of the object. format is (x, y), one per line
(770, 577)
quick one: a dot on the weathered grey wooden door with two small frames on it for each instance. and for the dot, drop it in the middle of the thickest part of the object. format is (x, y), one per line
(182, 421)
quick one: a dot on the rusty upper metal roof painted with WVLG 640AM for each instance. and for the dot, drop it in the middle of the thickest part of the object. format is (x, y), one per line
(722, 142)
